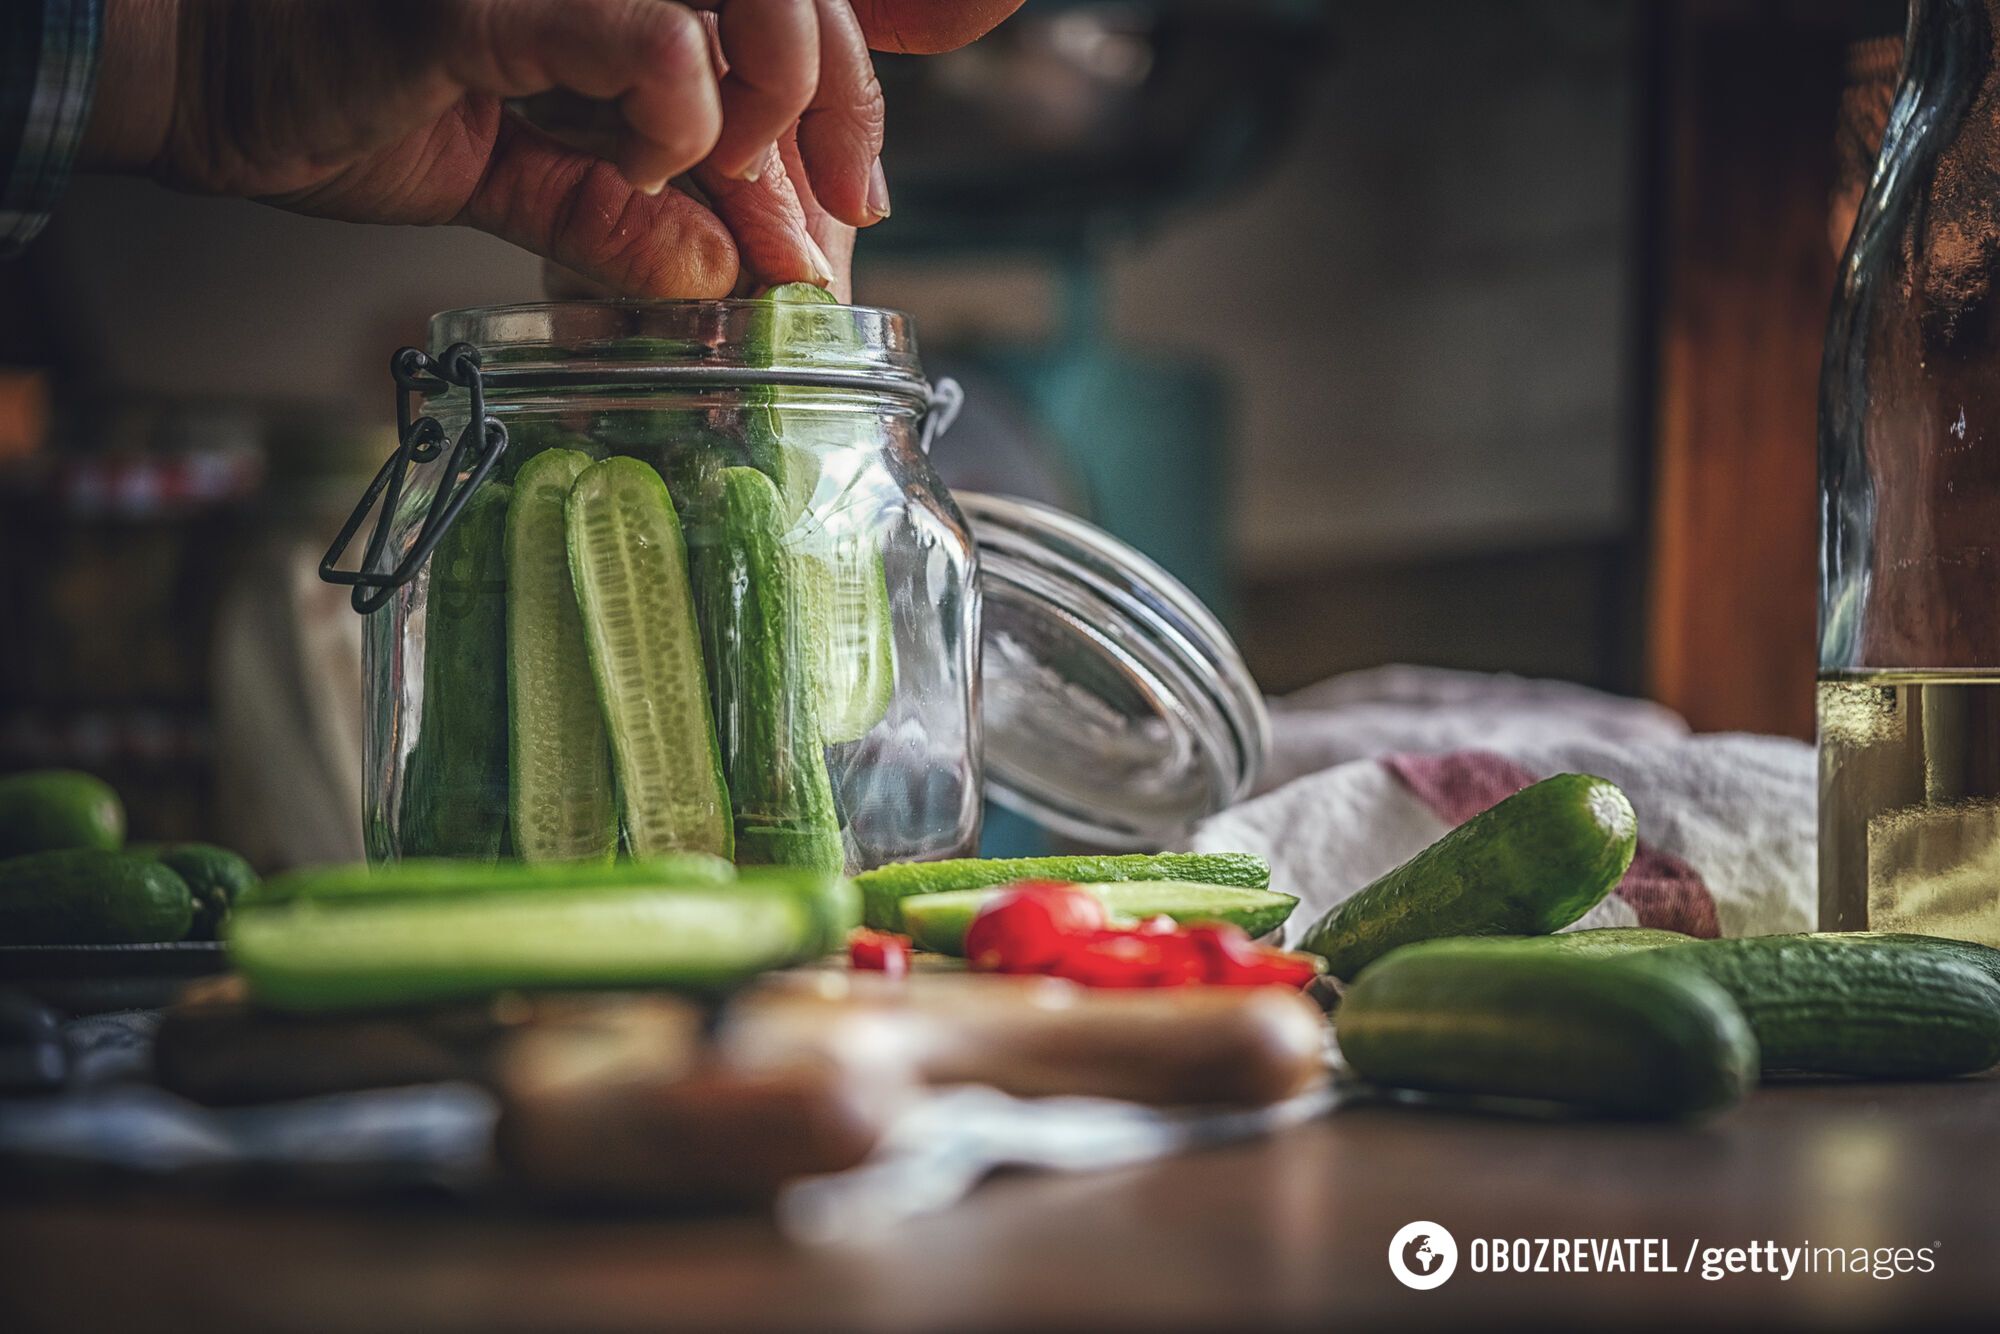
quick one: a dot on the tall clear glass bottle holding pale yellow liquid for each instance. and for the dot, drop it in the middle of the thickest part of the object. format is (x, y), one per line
(1911, 509)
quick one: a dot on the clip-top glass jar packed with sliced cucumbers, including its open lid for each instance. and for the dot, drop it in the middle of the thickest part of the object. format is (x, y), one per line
(697, 587)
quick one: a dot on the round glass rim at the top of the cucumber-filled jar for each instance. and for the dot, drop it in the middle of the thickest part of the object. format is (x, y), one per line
(631, 341)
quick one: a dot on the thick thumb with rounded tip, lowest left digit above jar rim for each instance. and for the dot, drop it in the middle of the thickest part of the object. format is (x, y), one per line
(583, 215)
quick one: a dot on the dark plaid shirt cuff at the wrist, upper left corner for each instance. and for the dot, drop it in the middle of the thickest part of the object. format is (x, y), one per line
(49, 65)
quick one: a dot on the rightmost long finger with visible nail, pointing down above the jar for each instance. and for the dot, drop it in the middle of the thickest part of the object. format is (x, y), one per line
(841, 133)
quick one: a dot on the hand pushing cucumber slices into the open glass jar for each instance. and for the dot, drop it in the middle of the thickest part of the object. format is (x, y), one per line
(381, 111)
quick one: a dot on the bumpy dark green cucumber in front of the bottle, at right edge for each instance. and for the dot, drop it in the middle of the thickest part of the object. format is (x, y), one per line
(1857, 1009)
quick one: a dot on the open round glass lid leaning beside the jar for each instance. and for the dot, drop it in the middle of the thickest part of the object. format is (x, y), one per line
(1115, 705)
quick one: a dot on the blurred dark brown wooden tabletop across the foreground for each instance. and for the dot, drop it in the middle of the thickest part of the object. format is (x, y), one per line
(1289, 1233)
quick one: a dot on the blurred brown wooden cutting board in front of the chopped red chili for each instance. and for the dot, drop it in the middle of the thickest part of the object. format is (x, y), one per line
(653, 1097)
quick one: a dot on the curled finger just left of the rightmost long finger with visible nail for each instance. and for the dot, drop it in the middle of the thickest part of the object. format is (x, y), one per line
(773, 67)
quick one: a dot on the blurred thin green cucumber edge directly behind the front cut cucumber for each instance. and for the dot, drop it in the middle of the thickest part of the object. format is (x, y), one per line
(443, 877)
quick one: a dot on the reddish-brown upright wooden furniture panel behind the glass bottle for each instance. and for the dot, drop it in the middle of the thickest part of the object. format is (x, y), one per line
(1749, 111)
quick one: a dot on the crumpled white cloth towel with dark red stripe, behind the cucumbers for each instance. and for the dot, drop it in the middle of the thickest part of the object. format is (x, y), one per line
(1371, 769)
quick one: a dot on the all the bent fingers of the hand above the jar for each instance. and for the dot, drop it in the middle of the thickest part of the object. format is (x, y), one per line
(781, 65)
